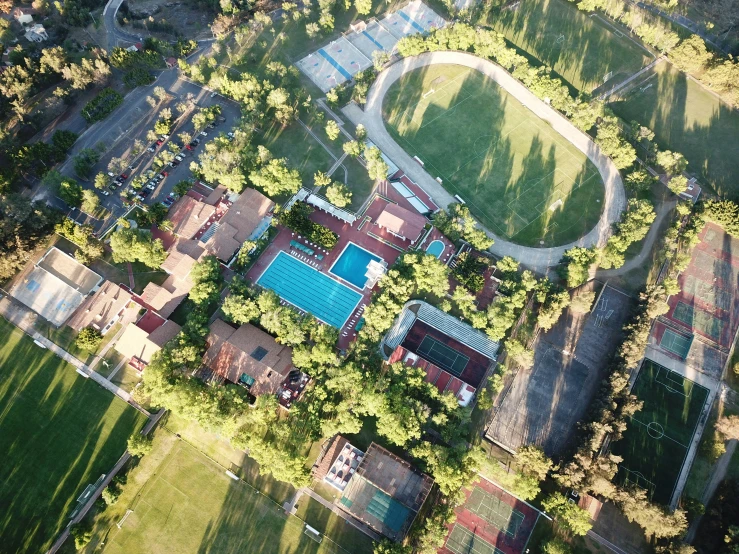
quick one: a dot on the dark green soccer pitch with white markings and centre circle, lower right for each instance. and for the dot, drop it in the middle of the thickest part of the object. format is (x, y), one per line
(657, 437)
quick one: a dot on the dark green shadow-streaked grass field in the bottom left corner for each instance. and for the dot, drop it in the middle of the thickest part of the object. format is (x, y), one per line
(60, 432)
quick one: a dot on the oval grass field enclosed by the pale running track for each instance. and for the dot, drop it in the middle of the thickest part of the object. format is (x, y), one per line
(519, 177)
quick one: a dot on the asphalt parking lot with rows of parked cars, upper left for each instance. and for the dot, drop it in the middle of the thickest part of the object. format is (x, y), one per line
(132, 124)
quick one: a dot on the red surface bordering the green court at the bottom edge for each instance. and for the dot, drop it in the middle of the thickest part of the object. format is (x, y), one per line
(483, 529)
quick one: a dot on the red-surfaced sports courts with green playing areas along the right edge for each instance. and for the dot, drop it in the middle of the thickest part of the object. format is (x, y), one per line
(709, 286)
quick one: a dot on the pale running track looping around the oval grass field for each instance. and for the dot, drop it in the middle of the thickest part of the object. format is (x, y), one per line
(536, 258)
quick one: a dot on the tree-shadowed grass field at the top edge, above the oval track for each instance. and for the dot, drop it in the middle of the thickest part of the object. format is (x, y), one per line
(581, 49)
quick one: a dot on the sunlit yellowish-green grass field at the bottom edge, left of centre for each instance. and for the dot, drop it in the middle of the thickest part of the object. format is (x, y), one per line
(189, 504)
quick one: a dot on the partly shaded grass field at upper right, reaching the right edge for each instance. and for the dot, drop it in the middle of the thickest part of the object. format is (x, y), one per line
(687, 118)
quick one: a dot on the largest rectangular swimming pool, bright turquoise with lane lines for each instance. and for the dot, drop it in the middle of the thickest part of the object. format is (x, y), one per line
(310, 290)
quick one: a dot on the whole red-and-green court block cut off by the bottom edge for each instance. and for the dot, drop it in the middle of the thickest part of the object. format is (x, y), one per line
(491, 521)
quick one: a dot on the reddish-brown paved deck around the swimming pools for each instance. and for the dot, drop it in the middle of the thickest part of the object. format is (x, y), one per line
(347, 233)
